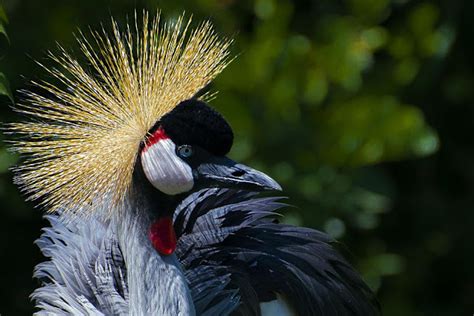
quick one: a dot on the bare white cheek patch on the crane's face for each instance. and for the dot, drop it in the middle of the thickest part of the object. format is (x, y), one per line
(165, 170)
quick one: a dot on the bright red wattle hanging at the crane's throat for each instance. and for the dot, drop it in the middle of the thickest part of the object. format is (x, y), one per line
(162, 236)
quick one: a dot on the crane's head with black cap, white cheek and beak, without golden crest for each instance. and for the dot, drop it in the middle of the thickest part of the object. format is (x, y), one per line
(186, 151)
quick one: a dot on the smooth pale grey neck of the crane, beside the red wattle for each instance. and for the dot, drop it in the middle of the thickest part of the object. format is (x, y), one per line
(157, 285)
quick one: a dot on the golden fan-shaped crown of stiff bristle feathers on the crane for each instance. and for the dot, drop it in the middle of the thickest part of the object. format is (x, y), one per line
(82, 144)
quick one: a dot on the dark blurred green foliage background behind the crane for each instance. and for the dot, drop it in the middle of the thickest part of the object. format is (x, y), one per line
(362, 109)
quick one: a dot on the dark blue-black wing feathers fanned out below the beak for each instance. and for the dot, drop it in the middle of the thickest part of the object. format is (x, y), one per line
(234, 229)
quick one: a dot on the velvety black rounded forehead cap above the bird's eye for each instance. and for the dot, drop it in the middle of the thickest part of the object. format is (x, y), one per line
(193, 122)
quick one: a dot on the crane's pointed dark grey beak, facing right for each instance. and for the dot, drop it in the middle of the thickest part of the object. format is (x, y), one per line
(224, 172)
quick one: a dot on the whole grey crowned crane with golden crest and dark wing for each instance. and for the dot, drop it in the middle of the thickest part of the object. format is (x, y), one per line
(147, 214)
